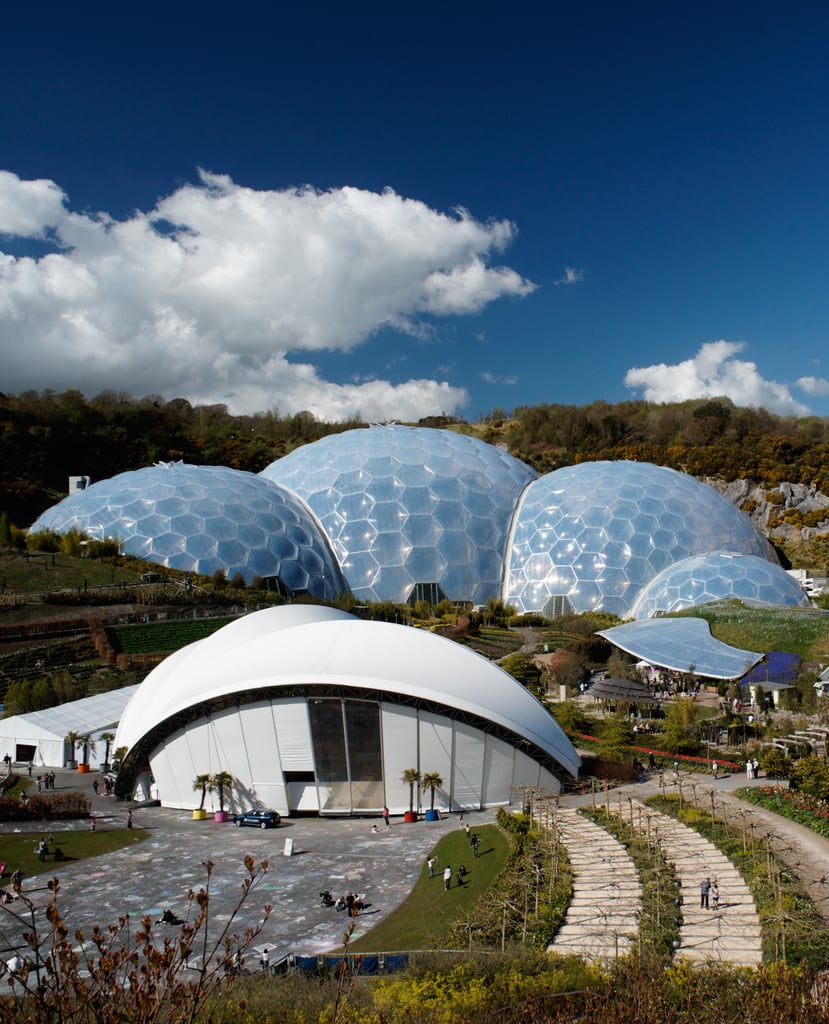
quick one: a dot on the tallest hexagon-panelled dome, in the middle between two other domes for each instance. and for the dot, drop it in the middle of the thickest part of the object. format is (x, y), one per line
(411, 508)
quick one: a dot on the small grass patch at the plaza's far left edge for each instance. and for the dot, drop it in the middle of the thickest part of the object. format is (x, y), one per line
(19, 850)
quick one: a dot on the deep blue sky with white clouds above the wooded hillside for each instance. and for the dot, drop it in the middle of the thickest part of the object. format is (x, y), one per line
(396, 214)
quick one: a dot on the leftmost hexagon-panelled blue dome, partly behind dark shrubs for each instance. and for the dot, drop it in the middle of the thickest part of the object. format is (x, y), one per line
(203, 520)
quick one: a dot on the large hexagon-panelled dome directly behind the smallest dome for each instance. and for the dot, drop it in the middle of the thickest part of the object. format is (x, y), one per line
(590, 537)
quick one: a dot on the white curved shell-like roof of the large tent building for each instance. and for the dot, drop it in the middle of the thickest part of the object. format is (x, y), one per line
(306, 646)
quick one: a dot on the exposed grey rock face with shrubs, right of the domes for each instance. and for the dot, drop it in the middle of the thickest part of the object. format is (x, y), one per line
(764, 507)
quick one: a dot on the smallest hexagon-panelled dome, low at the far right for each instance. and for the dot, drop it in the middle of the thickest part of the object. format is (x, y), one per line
(720, 576)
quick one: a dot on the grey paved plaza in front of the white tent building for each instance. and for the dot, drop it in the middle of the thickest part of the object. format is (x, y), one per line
(338, 855)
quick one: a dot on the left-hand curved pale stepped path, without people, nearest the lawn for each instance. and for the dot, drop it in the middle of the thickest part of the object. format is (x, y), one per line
(602, 921)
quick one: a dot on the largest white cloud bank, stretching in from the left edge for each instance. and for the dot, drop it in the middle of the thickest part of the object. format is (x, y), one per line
(224, 293)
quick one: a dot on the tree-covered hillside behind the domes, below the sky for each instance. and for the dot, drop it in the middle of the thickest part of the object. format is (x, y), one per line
(782, 463)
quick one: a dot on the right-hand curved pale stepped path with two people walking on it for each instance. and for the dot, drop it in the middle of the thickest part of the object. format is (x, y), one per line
(733, 932)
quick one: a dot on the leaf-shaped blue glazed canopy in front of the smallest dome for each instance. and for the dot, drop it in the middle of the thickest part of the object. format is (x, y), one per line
(683, 645)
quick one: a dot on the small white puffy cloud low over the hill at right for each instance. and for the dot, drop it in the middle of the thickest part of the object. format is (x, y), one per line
(715, 372)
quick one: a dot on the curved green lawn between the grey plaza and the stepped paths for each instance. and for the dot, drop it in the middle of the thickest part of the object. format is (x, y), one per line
(424, 920)
